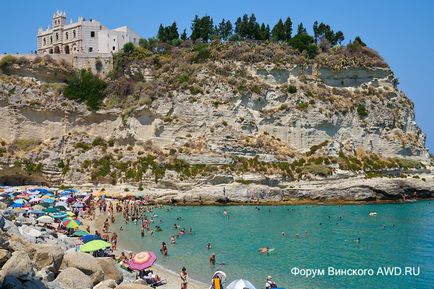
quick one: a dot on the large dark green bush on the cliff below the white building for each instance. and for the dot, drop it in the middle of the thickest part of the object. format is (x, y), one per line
(83, 86)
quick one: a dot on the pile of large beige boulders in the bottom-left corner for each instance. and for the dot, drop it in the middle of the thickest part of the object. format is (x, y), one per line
(30, 265)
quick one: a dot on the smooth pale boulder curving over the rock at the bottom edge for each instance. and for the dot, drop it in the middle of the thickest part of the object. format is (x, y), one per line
(85, 263)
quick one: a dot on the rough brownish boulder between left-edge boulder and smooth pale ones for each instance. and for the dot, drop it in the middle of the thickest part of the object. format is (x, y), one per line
(47, 256)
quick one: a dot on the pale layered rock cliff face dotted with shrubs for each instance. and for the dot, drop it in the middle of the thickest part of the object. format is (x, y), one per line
(220, 110)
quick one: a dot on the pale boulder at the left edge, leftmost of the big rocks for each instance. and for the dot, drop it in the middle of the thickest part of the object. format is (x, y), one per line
(19, 266)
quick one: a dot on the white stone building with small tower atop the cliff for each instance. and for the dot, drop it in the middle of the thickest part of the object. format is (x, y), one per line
(83, 36)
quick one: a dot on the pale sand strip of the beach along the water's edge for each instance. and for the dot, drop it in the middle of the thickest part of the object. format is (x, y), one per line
(172, 278)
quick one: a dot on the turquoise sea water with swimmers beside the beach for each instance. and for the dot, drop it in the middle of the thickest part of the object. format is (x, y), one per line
(235, 240)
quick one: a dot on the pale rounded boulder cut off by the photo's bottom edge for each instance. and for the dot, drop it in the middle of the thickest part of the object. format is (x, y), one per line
(72, 278)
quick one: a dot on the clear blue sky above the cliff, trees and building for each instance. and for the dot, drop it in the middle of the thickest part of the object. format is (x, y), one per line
(401, 31)
